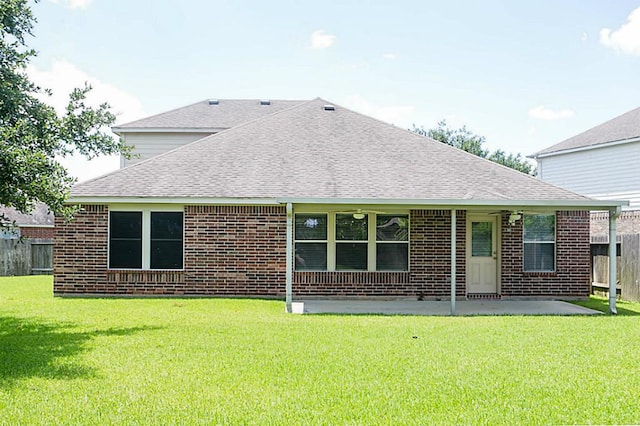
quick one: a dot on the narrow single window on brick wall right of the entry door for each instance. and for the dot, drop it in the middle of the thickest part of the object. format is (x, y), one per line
(539, 242)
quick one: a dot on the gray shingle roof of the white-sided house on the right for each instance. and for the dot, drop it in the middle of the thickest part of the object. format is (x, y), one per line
(621, 128)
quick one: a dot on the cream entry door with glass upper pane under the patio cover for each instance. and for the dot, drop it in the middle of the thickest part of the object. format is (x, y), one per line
(482, 255)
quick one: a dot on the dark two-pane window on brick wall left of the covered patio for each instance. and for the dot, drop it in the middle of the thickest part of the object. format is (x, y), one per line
(146, 240)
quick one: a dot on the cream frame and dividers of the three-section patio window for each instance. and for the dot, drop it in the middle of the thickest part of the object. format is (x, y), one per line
(372, 242)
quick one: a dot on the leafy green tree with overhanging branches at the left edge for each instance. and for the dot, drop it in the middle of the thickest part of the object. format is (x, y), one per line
(32, 135)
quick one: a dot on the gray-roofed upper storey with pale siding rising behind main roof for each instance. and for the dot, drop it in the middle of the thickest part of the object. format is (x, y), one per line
(166, 131)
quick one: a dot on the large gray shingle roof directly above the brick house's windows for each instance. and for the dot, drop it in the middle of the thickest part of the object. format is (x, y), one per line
(308, 152)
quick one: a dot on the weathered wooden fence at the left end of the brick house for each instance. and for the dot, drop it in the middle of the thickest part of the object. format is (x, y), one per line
(29, 256)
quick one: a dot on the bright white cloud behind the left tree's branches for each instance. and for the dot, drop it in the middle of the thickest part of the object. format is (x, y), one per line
(62, 78)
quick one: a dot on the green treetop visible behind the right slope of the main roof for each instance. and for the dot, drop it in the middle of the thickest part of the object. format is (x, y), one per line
(466, 140)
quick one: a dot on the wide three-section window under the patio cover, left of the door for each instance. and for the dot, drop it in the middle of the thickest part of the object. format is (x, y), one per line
(340, 242)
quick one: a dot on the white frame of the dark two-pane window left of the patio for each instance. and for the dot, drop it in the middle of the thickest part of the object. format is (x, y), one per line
(146, 233)
